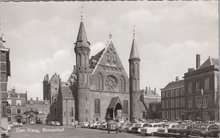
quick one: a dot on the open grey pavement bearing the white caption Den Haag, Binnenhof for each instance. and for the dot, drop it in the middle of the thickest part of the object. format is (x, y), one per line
(43, 131)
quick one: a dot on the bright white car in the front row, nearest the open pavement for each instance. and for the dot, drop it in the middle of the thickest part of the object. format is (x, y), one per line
(151, 128)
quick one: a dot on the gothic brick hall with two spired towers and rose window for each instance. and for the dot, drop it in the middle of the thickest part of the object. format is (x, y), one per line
(98, 88)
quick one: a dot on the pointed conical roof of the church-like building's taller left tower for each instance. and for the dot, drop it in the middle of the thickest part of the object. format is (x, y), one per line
(82, 38)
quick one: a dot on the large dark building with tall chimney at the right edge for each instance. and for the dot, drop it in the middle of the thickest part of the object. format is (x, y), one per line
(202, 90)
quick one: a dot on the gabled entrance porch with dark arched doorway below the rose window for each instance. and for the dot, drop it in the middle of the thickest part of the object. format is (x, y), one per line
(114, 110)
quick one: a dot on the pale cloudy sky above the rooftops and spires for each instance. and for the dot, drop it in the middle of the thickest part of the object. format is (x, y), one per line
(168, 36)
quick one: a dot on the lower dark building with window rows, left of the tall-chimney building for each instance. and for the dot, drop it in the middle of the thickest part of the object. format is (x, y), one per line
(173, 100)
